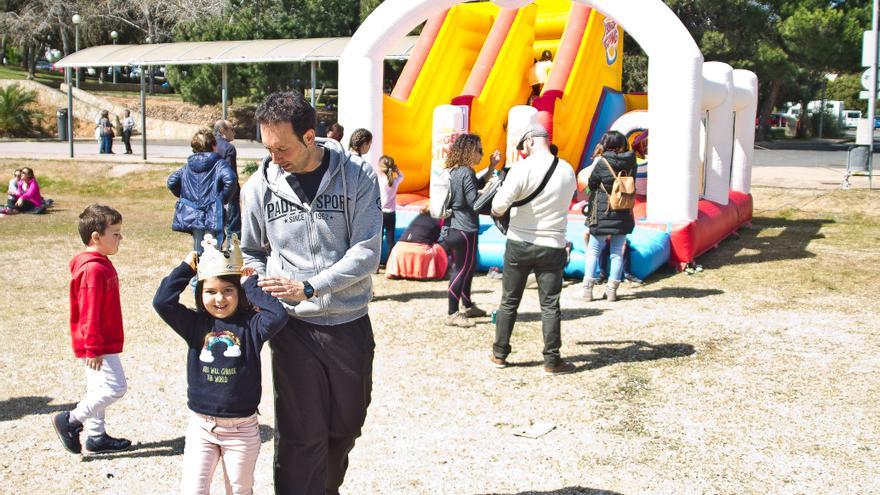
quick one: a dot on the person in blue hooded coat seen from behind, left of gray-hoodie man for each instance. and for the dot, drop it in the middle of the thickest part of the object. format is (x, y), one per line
(204, 185)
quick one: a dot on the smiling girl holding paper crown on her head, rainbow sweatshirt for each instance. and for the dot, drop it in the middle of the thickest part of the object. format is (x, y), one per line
(224, 335)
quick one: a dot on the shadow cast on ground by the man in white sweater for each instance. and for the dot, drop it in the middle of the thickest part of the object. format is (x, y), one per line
(633, 351)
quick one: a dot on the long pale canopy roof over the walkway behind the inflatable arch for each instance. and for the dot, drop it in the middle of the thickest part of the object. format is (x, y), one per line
(222, 52)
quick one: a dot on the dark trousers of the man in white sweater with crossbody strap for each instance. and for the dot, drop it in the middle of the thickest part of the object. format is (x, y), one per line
(521, 258)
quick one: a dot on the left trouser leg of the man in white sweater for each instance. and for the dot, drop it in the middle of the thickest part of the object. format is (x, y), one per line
(513, 283)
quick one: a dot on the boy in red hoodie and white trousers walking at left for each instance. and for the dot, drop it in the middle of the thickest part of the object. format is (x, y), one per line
(96, 332)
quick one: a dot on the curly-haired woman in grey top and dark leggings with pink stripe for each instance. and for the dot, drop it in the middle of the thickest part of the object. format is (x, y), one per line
(461, 237)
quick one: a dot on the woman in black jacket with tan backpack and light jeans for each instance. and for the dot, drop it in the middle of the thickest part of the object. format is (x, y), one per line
(612, 153)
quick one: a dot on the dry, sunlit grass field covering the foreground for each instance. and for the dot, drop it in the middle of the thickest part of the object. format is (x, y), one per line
(758, 375)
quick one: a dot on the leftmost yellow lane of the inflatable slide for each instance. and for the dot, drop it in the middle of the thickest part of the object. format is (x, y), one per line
(407, 124)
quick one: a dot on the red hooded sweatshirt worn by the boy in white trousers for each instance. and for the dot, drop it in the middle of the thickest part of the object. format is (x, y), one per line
(95, 310)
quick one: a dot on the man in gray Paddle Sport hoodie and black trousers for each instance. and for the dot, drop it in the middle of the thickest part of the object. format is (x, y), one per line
(311, 226)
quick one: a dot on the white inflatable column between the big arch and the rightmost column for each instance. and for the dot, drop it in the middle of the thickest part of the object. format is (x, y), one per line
(718, 100)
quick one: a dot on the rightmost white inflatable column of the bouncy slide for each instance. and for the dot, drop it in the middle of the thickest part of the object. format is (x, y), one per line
(745, 106)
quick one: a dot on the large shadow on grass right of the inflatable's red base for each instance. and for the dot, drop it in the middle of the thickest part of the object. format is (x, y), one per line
(790, 243)
